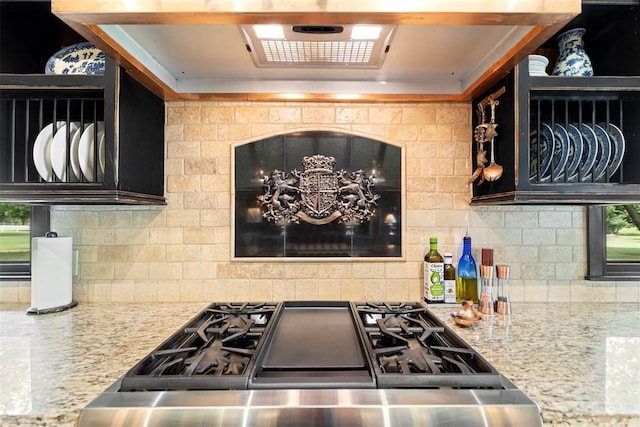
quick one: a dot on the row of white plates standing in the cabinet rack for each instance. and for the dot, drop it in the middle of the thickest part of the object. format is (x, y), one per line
(55, 148)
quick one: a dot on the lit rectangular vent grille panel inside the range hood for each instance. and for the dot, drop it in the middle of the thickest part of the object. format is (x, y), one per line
(307, 46)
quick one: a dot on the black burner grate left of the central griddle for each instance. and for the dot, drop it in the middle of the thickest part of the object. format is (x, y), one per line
(214, 350)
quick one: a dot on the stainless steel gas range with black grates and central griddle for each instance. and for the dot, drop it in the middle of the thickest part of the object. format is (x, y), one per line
(238, 363)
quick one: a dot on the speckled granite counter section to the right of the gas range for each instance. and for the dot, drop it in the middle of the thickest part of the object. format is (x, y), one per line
(579, 362)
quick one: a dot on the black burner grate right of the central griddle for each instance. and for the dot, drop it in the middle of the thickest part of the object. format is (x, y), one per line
(410, 347)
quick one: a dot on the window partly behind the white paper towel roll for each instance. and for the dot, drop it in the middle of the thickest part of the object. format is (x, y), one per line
(18, 224)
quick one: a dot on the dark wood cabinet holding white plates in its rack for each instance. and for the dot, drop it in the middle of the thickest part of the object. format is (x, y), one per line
(121, 160)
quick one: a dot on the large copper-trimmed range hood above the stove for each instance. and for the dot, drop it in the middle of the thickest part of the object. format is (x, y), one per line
(199, 50)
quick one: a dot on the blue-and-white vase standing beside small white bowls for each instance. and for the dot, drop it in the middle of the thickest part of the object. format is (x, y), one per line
(573, 60)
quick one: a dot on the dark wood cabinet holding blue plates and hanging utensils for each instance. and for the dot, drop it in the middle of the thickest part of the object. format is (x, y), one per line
(572, 140)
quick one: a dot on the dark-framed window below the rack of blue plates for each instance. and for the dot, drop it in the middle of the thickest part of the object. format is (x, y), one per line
(613, 234)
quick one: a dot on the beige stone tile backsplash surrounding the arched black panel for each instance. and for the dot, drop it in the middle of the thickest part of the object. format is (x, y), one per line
(182, 251)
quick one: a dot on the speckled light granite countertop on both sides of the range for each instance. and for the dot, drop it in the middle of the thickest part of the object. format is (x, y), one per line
(579, 362)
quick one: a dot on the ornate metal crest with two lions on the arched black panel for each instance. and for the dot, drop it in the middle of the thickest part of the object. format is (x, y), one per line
(318, 195)
